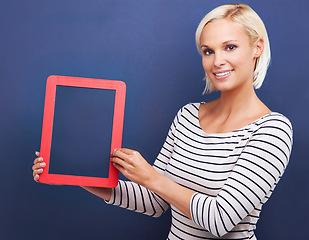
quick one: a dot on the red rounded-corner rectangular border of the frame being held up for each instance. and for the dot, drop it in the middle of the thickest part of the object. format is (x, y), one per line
(50, 97)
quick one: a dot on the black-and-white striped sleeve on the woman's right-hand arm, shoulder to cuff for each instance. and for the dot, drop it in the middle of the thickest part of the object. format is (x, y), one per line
(259, 167)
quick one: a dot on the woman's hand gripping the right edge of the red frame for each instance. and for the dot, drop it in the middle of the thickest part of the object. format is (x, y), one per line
(134, 167)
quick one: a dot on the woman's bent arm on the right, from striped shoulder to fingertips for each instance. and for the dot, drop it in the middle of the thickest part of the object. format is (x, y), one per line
(258, 169)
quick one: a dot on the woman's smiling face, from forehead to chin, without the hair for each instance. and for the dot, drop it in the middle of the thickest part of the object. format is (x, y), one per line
(228, 54)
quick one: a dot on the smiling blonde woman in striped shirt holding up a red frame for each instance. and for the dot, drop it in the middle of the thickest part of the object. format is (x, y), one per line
(222, 159)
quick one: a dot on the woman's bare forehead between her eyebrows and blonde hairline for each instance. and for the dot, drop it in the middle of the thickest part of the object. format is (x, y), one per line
(222, 30)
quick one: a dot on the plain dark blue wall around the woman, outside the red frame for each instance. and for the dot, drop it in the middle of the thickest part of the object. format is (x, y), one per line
(149, 45)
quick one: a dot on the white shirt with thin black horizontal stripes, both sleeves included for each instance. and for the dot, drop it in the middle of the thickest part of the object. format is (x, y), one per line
(233, 174)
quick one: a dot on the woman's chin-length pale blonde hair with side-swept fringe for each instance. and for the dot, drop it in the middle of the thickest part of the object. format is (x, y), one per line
(255, 28)
